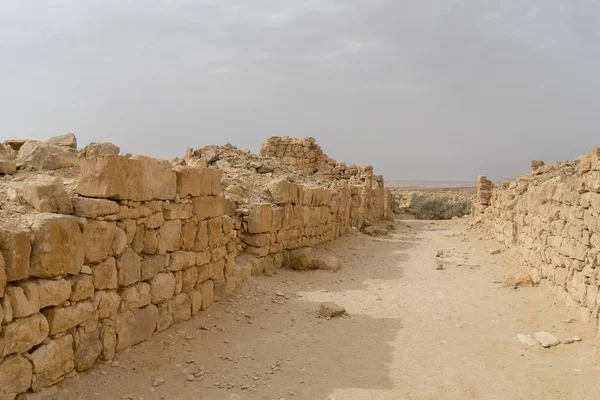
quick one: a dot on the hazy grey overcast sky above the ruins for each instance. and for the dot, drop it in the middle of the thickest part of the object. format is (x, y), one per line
(421, 89)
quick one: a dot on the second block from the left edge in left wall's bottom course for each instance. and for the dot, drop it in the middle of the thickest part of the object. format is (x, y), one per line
(51, 362)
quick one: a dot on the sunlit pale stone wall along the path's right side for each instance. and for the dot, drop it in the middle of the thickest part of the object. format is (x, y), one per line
(552, 217)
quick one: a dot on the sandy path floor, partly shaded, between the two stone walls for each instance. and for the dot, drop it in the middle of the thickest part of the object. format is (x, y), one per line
(414, 332)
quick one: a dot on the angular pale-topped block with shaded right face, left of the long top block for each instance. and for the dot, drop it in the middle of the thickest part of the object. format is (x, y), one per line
(46, 194)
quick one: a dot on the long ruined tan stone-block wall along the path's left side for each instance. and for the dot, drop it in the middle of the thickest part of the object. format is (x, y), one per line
(100, 251)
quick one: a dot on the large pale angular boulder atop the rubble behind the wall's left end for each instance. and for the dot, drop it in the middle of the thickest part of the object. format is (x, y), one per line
(43, 156)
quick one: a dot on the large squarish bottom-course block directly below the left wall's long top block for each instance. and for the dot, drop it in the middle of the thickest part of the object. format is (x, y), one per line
(133, 327)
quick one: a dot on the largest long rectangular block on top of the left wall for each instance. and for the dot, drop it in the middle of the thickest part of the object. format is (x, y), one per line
(139, 178)
